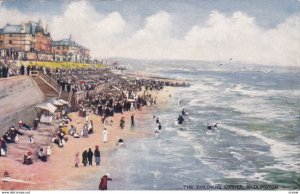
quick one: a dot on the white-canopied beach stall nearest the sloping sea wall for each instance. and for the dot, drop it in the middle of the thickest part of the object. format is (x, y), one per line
(45, 111)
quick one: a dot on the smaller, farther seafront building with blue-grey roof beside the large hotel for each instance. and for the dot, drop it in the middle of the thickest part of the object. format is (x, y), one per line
(69, 50)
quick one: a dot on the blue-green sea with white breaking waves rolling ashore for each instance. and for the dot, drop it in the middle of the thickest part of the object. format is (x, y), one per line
(255, 146)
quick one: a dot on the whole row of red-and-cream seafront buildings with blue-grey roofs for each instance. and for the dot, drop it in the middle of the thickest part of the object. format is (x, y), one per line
(31, 41)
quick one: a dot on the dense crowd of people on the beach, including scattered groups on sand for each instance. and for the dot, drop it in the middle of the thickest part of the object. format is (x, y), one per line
(118, 95)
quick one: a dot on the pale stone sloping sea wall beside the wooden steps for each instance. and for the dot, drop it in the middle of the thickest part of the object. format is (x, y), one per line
(18, 95)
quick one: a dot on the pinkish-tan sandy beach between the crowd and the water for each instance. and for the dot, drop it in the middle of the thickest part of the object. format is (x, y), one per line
(59, 172)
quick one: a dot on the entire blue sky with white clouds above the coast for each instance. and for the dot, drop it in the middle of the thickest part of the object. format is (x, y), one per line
(265, 32)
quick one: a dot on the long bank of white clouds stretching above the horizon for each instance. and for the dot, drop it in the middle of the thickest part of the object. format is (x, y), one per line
(221, 37)
